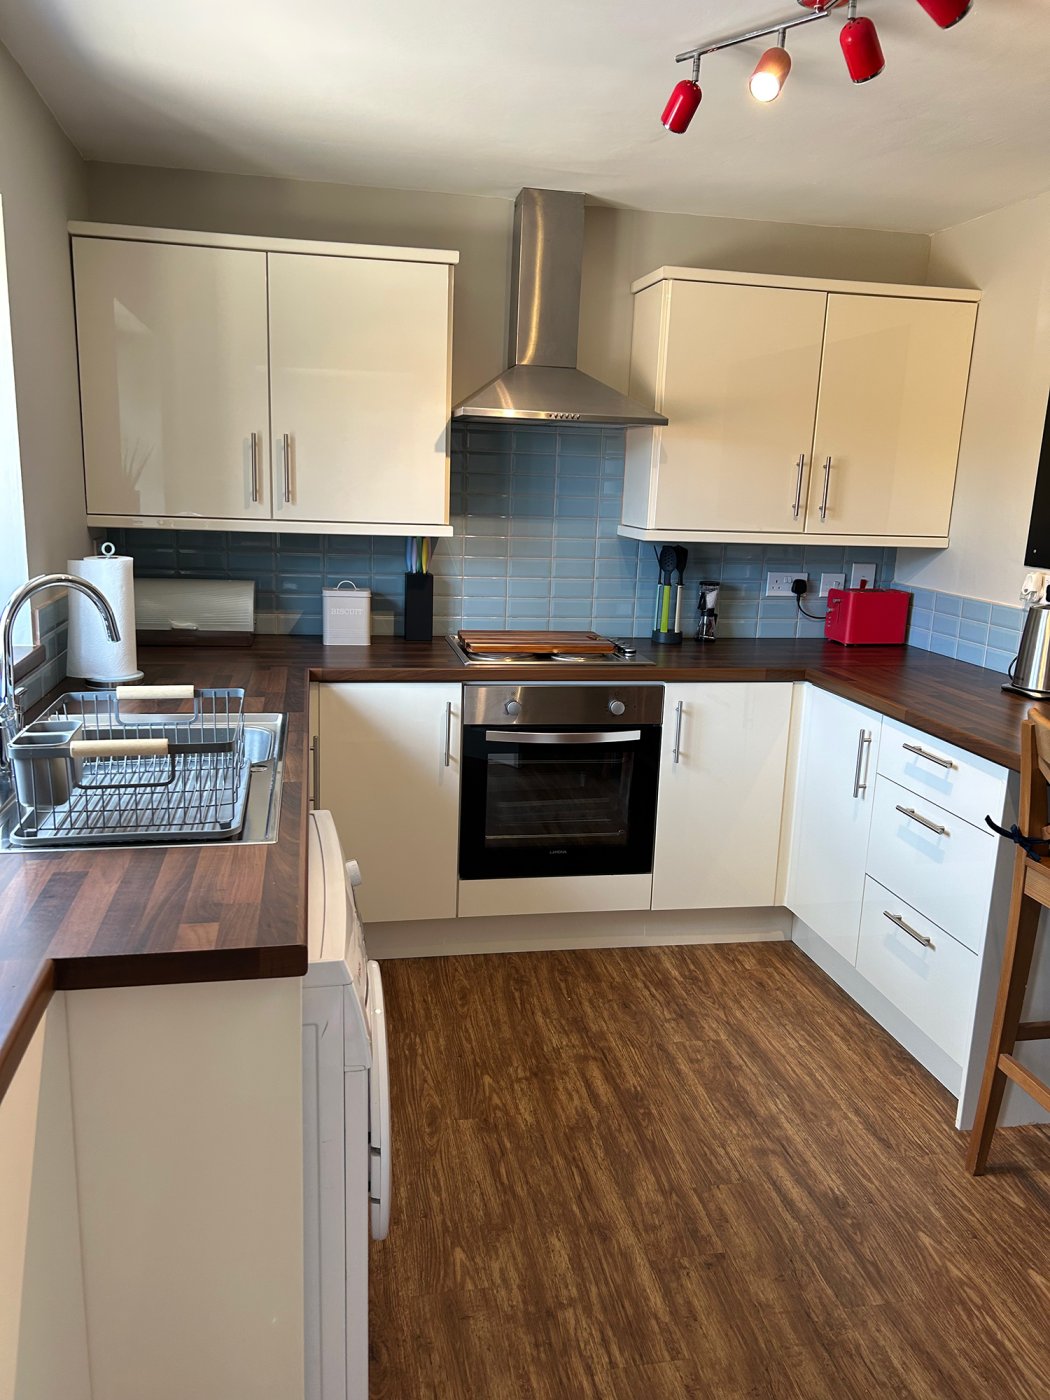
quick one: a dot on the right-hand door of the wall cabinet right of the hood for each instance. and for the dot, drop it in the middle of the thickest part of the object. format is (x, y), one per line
(890, 415)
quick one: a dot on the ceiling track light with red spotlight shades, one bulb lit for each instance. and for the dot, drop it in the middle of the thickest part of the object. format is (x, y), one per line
(859, 40)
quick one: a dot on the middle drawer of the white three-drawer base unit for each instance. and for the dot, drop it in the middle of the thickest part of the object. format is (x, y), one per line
(932, 859)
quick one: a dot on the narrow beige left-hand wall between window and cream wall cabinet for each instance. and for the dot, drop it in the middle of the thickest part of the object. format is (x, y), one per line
(43, 185)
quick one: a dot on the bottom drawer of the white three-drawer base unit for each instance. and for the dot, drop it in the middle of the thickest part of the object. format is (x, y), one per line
(926, 974)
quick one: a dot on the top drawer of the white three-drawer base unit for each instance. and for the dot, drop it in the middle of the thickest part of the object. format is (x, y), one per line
(957, 780)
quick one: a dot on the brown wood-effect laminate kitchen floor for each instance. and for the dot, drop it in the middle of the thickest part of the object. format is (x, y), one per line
(691, 1172)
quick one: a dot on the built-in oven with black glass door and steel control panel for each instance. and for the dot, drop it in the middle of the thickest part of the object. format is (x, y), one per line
(559, 780)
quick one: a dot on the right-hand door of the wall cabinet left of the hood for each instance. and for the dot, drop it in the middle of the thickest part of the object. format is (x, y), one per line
(360, 390)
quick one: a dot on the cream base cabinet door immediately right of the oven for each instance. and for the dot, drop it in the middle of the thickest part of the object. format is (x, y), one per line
(722, 796)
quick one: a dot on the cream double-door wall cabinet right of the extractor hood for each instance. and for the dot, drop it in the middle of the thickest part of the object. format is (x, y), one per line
(799, 411)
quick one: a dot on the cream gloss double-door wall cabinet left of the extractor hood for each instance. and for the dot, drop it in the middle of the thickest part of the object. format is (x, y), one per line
(264, 384)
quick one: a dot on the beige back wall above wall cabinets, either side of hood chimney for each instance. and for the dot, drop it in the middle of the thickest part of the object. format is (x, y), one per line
(621, 247)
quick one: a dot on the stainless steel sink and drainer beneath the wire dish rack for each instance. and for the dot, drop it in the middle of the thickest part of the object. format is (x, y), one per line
(264, 744)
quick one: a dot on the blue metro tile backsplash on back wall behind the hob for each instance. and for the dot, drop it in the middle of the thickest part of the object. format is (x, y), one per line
(535, 513)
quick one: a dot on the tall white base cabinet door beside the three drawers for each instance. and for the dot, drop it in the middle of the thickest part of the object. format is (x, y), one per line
(832, 818)
